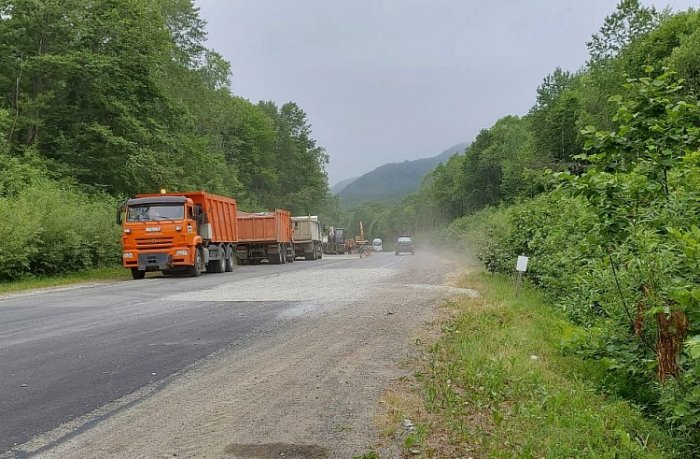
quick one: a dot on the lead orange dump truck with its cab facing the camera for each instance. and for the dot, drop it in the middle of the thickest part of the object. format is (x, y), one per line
(170, 232)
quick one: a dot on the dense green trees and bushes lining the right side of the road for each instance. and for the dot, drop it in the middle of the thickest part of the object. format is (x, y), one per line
(599, 184)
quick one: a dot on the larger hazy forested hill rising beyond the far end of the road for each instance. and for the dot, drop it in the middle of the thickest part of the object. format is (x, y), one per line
(393, 181)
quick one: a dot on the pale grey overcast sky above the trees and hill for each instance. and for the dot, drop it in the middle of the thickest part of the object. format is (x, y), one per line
(389, 80)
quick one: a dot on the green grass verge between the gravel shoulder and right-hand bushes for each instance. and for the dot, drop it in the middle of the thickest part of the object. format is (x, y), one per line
(500, 384)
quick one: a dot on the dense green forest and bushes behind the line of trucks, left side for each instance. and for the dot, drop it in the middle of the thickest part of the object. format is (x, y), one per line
(102, 100)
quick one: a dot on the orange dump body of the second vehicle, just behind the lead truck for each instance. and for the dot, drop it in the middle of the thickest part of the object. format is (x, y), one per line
(265, 227)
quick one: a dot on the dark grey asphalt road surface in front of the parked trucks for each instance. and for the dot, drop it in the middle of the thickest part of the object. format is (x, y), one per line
(68, 352)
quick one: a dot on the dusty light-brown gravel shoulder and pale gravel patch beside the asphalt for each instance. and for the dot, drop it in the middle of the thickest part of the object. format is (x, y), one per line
(311, 390)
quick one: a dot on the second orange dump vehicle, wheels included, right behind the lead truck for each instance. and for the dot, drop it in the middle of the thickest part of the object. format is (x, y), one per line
(265, 236)
